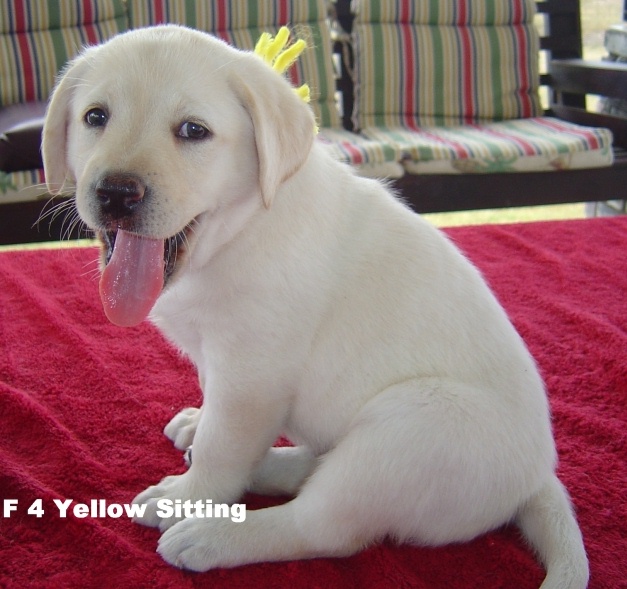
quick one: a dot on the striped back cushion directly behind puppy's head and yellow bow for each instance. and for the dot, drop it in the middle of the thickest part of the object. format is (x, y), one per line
(241, 22)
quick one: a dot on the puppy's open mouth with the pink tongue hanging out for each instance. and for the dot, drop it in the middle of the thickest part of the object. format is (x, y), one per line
(136, 269)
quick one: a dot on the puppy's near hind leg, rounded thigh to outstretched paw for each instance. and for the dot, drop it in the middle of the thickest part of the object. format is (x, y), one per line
(410, 466)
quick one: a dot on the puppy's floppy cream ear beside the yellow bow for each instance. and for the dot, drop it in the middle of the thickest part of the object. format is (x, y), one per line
(284, 124)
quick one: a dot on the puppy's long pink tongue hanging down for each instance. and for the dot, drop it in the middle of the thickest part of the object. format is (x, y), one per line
(133, 279)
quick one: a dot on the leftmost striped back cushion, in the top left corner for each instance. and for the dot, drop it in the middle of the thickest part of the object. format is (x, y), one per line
(37, 38)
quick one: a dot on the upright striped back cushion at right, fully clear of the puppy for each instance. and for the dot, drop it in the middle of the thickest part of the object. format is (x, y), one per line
(444, 62)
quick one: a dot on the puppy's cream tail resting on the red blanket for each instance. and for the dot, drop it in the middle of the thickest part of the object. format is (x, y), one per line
(548, 522)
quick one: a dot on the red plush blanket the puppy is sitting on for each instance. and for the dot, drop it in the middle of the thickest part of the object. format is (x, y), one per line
(83, 403)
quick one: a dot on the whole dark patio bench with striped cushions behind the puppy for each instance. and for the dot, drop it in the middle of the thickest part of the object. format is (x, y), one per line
(442, 98)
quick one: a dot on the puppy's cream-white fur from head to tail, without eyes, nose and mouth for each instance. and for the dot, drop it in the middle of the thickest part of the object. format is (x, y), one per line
(316, 305)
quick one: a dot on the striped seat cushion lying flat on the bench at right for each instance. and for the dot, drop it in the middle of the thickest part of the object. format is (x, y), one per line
(539, 143)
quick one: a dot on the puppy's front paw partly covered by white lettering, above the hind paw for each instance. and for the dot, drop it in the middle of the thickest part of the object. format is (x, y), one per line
(166, 502)
